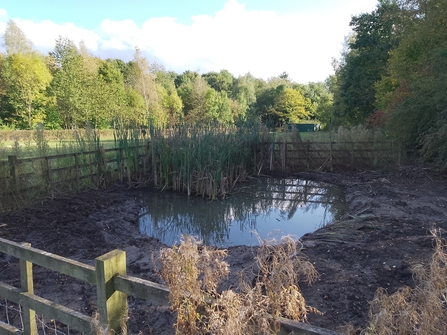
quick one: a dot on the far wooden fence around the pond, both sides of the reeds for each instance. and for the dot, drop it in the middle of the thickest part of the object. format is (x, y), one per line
(23, 181)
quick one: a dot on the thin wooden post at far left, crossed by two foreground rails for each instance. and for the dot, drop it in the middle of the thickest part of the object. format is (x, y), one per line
(26, 283)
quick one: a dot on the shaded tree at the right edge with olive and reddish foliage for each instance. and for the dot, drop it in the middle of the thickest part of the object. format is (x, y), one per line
(412, 95)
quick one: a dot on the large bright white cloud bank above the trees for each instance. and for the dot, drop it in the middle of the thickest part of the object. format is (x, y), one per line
(261, 42)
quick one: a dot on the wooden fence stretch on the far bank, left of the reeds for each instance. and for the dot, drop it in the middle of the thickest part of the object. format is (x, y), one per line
(23, 181)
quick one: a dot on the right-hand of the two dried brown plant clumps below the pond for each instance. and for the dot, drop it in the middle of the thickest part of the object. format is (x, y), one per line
(275, 290)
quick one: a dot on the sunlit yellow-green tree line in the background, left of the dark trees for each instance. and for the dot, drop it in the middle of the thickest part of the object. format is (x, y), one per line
(69, 87)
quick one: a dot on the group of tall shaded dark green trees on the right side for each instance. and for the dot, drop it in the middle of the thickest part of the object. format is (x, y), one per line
(392, 75)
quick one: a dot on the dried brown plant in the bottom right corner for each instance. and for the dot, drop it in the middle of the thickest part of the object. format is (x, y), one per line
(420, 310)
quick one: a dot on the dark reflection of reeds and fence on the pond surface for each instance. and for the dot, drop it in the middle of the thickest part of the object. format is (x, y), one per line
(212, 225)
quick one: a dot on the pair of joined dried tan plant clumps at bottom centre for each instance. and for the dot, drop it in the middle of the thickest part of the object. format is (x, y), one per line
(192, 273)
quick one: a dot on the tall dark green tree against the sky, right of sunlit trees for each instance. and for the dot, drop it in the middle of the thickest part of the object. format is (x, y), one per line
(375, 34)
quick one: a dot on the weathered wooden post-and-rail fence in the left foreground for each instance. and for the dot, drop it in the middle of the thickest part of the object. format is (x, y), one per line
(108, 274)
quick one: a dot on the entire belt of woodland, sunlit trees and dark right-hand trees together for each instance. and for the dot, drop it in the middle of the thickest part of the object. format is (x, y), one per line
(391, 77)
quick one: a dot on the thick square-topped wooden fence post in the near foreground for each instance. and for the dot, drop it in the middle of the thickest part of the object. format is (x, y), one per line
(112, 305)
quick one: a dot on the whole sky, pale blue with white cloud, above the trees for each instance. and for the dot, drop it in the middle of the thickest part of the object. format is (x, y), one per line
(263, 37)
